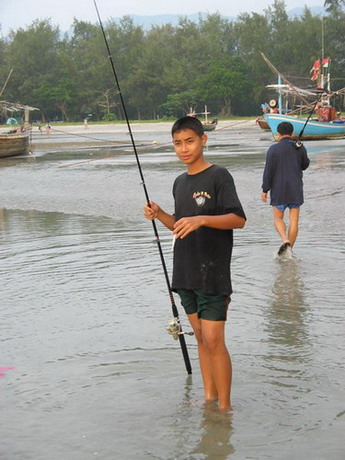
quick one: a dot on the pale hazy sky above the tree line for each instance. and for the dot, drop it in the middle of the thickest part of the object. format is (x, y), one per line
(21, 13)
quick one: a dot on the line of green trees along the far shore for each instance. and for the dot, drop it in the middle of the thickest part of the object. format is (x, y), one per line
(167, 69)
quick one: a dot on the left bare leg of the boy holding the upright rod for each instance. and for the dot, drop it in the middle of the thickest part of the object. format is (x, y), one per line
(210, 389)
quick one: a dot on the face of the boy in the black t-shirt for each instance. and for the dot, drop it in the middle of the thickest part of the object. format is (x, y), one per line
(189, 146)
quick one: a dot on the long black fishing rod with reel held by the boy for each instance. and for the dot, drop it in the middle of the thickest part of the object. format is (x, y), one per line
(174, 327)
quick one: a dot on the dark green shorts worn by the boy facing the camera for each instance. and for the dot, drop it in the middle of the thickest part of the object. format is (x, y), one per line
(208, 306)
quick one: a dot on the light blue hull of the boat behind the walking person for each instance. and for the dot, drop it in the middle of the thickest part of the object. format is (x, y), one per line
(313, 130)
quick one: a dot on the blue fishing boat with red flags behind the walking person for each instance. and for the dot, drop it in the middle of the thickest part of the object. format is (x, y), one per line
(327, 124)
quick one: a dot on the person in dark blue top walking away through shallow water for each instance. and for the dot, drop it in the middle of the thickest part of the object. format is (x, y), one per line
(283, 178)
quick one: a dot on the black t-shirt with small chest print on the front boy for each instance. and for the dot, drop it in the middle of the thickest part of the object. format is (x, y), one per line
(202, 259)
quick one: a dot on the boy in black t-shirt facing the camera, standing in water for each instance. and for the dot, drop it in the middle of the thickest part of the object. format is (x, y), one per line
(207, 209)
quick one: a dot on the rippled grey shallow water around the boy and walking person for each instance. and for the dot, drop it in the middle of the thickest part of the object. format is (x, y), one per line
(87, 368)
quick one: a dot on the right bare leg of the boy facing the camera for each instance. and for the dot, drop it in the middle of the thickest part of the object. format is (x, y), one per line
(213, 336)
